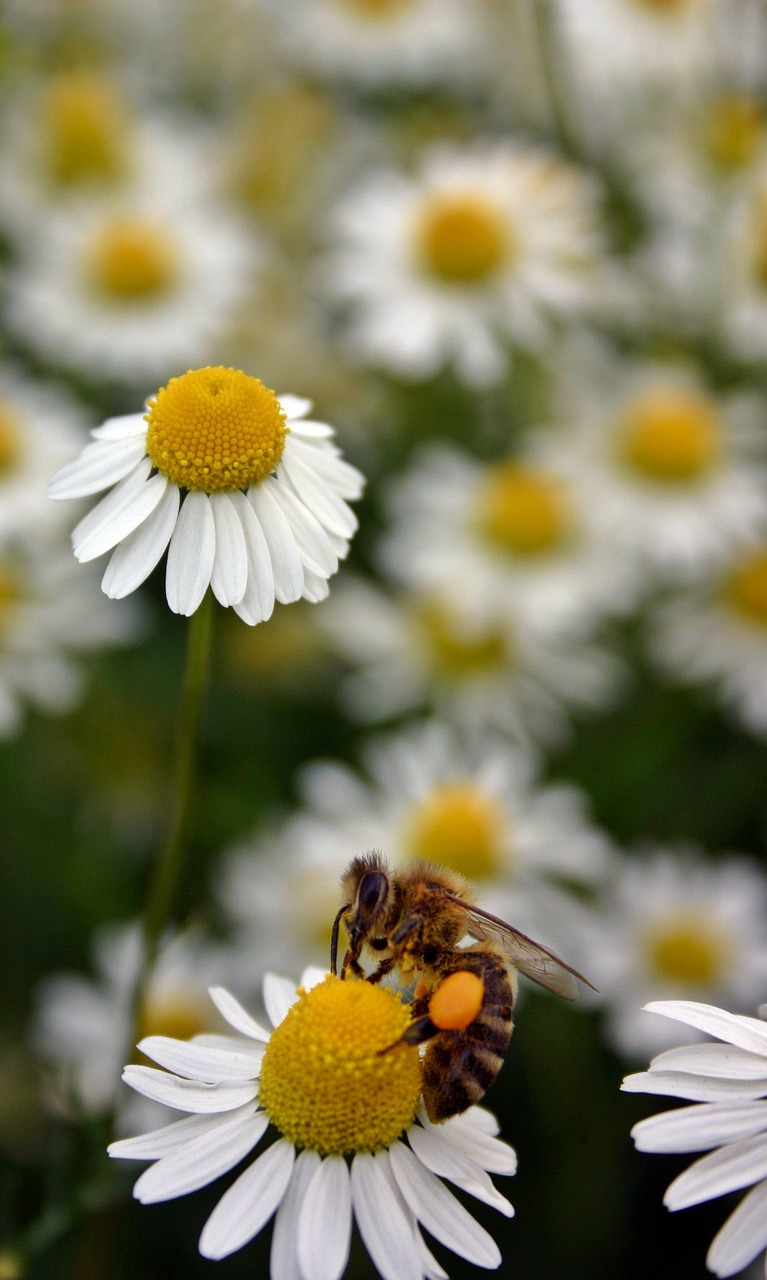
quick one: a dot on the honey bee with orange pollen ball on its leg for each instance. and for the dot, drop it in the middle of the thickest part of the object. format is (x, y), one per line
(413, 921)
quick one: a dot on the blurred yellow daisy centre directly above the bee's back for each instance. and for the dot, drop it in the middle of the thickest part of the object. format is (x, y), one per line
(460, 828)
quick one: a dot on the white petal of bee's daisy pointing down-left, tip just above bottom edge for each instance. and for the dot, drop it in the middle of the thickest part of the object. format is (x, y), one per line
(249, 1204)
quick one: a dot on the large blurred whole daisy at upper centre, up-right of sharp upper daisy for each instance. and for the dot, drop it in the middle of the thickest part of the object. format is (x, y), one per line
(476, 252)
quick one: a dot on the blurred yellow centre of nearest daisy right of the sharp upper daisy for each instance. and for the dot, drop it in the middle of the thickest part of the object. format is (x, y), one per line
(523, 511)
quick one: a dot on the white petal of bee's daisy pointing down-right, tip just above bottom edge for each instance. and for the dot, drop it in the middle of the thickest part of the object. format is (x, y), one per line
(441, 1213)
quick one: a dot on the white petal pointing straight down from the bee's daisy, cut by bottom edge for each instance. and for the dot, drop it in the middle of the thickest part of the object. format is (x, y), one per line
(326, 1222)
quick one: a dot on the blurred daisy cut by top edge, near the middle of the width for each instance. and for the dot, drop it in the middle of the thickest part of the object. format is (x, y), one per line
(378, 43)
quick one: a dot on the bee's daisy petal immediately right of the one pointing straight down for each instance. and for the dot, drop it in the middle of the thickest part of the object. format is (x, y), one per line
(383, 1224)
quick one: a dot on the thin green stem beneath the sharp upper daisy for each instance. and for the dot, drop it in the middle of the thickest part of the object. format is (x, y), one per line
(170, 863)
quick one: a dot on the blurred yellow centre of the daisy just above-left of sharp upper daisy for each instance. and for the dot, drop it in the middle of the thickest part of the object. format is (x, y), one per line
(133, 260)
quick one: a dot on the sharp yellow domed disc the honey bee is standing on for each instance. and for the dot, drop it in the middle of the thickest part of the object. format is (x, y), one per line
(325, 1082)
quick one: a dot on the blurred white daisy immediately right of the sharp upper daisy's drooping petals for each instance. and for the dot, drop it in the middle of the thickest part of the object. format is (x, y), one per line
(506, 537)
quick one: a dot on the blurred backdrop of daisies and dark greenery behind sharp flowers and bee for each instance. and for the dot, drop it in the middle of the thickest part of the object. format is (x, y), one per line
(517, 254)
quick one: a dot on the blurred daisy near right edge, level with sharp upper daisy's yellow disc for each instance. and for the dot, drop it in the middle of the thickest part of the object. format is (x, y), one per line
(673, 472)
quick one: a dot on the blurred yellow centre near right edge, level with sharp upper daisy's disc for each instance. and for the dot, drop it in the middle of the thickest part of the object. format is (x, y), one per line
(672, 436)
